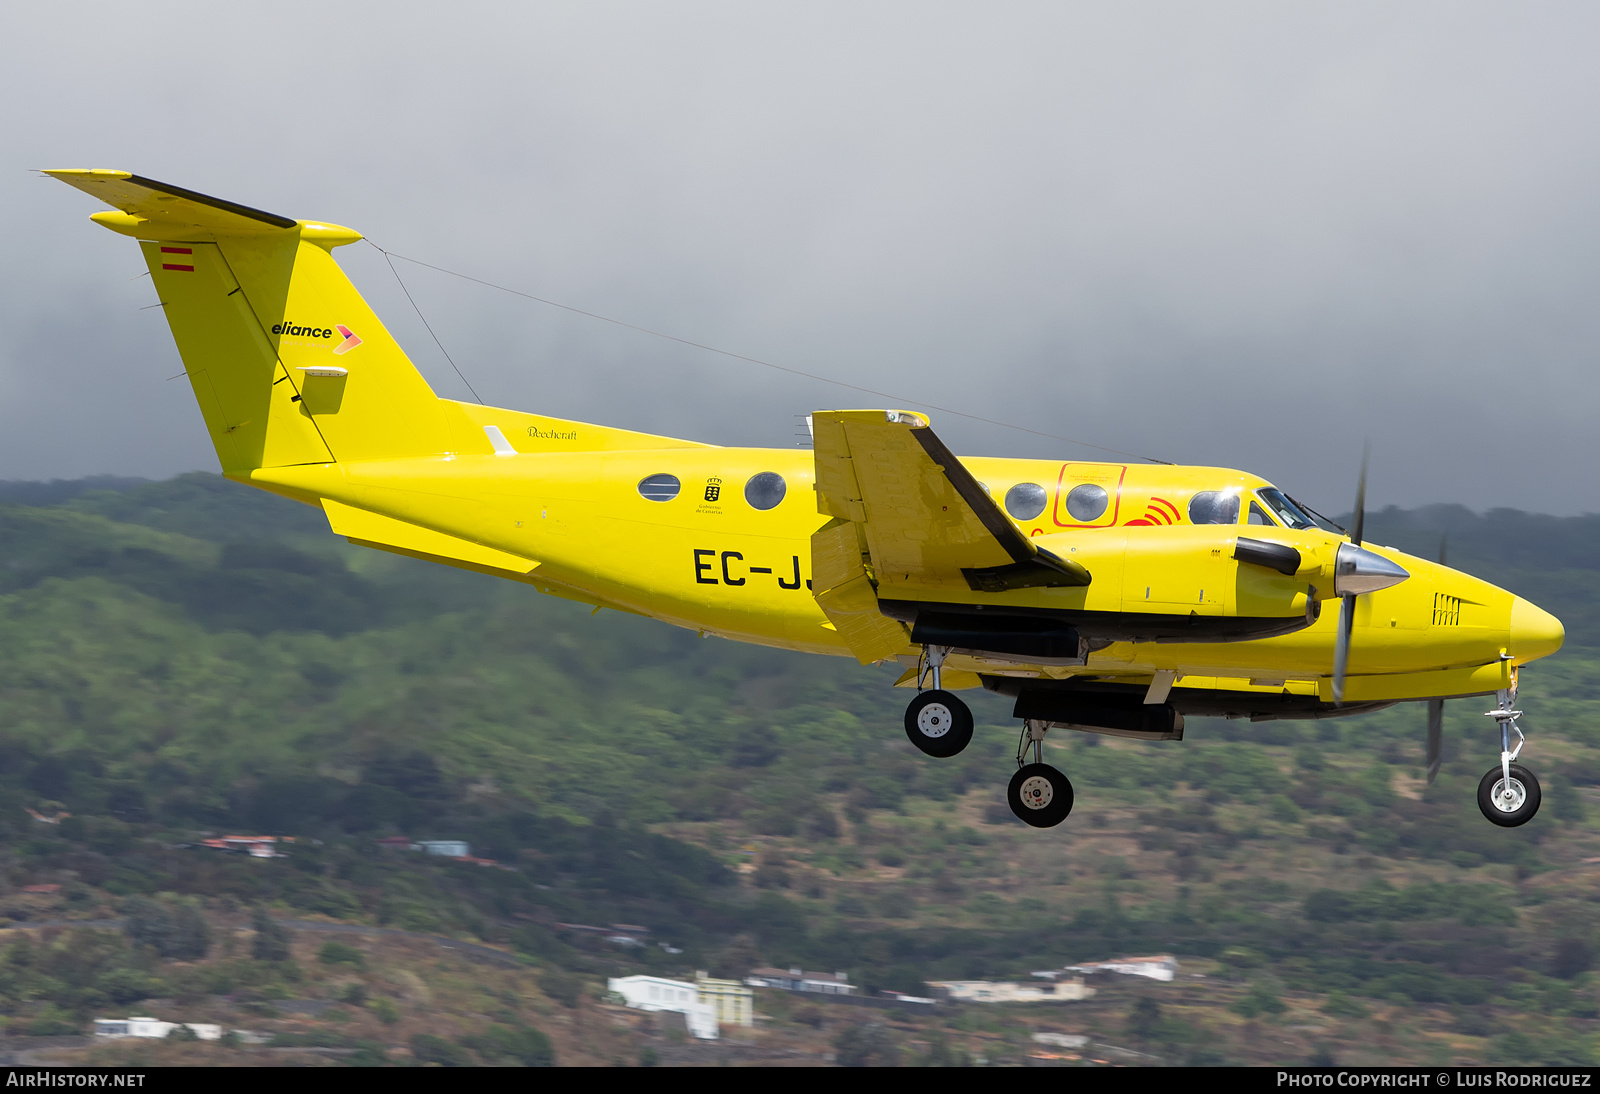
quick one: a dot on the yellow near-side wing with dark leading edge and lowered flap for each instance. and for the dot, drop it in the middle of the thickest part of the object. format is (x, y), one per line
(906, 513)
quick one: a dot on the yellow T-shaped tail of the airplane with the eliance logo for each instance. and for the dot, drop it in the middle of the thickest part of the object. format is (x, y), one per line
(287, 361)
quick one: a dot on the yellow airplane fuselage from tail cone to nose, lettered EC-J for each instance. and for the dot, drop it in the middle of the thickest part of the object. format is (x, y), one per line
(671, 533)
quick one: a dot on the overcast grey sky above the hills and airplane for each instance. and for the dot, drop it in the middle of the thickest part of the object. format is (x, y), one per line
(1239, 234)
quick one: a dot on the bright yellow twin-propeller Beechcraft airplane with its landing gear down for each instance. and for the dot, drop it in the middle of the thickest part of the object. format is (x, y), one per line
(1102, 597)
